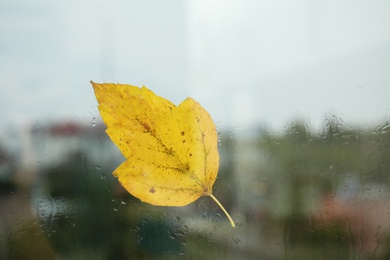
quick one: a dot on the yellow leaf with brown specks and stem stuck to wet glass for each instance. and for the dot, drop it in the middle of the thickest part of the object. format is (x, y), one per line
(171, 151)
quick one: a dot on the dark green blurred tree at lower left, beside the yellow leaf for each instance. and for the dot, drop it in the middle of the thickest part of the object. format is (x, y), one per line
(90, 216)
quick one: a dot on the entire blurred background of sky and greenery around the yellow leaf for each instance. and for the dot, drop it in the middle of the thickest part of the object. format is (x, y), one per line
(299, 92)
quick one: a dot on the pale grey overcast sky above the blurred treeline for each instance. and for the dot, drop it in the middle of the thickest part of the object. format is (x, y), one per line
(246, 62)
